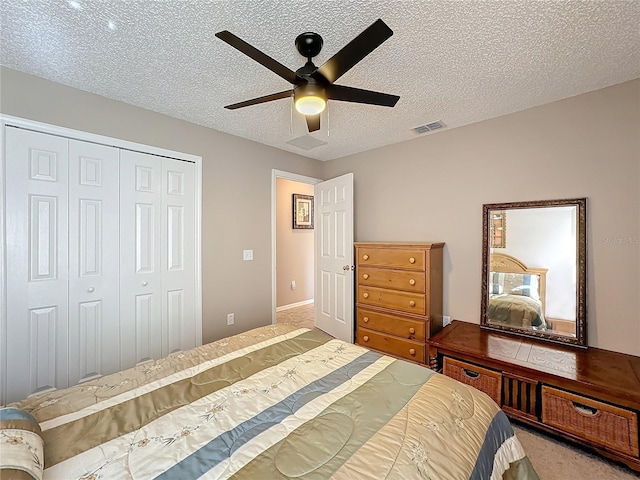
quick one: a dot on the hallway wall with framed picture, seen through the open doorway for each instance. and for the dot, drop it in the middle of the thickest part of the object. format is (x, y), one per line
(294, 248)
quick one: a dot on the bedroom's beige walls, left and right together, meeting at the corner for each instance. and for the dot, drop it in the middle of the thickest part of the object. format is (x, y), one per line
(431, 188)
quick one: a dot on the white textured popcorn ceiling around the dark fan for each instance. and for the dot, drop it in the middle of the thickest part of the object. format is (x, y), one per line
(456, 61)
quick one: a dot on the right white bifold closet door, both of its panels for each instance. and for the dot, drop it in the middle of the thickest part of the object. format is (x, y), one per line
(157, 257)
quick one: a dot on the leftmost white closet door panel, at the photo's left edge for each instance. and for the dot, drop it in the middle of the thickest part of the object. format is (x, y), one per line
(37, 263)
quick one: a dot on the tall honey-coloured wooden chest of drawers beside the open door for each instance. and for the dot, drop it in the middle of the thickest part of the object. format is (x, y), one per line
(398, 297)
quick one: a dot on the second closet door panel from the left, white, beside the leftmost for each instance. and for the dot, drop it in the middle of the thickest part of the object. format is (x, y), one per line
(94, 327)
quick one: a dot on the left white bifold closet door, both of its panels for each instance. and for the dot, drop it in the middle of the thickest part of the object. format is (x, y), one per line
(62, 307)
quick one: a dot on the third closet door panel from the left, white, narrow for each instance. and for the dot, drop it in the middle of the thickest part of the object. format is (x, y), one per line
(140, 251)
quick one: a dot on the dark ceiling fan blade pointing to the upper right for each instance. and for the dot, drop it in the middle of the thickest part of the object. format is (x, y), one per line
(355, 50)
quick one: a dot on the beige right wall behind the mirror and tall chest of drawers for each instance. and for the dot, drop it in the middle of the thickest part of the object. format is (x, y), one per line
(433, 188)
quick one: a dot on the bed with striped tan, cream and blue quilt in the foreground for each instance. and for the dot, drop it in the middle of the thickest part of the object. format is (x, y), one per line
(277, 402)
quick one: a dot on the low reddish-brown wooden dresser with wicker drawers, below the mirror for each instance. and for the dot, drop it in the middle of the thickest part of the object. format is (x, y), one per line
(590, 396)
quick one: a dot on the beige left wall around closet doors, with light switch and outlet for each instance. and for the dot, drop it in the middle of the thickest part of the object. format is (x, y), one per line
(236, 188)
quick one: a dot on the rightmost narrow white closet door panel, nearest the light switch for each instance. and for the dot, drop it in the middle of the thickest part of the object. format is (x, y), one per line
(178, 258)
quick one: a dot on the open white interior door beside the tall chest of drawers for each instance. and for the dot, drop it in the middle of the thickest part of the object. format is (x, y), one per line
(334, 256)
